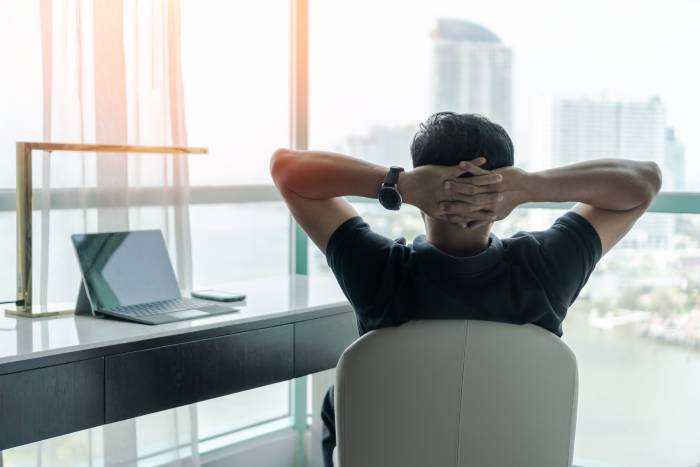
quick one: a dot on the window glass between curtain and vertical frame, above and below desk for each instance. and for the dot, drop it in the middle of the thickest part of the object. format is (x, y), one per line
(236, 73)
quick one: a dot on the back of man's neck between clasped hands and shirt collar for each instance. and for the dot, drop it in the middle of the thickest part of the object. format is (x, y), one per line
(455, 240)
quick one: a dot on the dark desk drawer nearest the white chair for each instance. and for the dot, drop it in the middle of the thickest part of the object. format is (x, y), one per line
(319, 343)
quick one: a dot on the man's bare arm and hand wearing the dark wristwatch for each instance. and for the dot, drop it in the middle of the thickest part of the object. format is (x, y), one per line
(313, 184)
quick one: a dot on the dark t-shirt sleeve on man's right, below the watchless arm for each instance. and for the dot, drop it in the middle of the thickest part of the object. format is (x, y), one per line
(569, 252)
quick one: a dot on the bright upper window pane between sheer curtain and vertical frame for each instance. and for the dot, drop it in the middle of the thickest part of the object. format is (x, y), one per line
(236, 74)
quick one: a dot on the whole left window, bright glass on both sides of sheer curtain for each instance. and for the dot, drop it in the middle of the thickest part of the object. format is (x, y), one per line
(236, 82)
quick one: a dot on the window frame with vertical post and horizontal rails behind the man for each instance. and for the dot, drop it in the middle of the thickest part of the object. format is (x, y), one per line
(297, 418)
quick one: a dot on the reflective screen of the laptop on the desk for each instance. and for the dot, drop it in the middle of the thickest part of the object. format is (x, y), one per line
(125, 268)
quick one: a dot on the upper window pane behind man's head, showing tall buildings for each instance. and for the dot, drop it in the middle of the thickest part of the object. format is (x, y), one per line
(551, 73)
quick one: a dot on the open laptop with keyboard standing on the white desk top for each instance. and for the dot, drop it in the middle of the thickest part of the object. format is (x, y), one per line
(128, 275)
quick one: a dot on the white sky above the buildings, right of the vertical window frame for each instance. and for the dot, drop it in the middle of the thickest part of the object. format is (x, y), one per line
(379, 55)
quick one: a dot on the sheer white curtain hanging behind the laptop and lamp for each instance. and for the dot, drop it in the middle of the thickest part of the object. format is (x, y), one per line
(112, 75)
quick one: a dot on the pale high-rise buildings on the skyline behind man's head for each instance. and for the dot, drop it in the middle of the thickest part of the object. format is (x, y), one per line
(467, 54)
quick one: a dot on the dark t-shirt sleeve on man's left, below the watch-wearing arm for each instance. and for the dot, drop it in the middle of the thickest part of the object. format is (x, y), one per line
(360, 260)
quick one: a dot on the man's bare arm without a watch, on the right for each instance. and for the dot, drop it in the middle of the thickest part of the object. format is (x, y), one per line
(612, 193)
